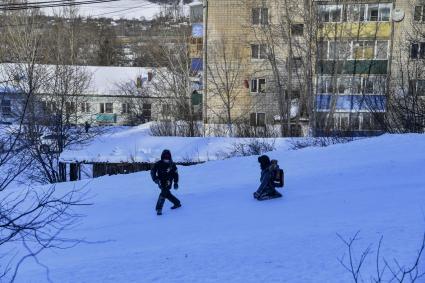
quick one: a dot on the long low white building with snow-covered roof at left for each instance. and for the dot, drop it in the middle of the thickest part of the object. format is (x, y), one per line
(96, 95)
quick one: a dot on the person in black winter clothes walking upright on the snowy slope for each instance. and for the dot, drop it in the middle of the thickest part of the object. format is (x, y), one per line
(164, 173)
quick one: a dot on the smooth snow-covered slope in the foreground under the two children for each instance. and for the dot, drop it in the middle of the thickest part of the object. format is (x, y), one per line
(221, 234)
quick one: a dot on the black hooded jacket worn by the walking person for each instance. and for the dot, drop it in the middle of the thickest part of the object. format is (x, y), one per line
(165, 173)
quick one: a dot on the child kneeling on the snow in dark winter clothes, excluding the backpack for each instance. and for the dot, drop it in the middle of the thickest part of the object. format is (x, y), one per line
(267, 189)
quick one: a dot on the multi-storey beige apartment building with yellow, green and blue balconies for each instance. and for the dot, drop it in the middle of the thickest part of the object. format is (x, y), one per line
(355, 50)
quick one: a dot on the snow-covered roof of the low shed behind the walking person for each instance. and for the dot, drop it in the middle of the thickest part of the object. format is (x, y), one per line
(135, 144)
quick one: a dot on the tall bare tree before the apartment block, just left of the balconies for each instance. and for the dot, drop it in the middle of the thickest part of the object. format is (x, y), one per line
(284, 34)
